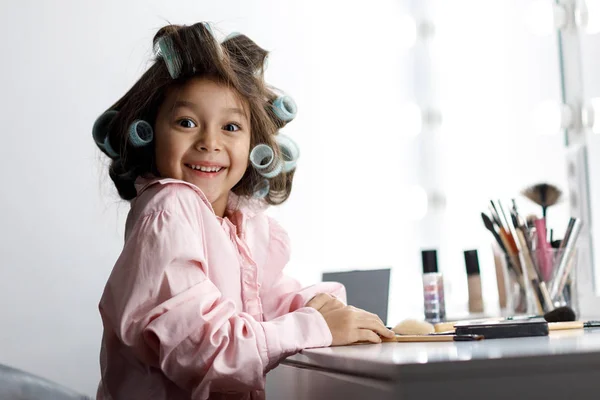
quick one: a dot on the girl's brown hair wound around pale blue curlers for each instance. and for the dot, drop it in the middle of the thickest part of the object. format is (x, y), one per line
(237, 62)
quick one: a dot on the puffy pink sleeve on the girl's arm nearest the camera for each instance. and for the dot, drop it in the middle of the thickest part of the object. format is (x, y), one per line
(162, 306)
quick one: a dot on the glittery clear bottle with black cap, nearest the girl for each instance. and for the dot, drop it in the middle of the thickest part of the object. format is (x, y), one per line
(433, 288)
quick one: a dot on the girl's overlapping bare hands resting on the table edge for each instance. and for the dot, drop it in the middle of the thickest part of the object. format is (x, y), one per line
(349, 324)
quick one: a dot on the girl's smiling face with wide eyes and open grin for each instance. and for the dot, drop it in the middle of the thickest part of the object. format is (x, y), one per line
(202, 134)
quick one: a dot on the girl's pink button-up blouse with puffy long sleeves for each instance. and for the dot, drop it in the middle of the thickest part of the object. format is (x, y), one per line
(197, 306)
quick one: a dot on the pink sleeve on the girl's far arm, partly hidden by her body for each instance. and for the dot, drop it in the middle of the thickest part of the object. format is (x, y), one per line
(283, 294)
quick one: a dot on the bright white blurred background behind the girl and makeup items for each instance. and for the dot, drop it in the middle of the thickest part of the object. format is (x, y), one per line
(412, 116)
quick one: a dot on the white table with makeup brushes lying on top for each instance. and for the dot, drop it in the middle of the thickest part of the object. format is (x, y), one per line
(564, 365)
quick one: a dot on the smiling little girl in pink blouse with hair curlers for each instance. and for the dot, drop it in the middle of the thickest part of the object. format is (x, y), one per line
(197, 305)
